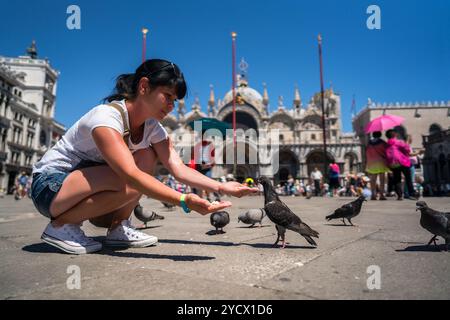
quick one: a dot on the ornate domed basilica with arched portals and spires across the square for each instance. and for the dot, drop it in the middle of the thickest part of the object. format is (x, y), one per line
(299, 126)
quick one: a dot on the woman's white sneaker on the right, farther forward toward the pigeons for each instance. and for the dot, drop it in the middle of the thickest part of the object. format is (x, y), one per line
(126, 236)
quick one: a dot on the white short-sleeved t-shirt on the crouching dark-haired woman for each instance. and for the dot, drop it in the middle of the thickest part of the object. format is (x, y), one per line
(77, 149)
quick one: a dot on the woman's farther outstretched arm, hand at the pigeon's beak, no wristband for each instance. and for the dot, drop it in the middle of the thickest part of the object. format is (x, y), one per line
(172, 161)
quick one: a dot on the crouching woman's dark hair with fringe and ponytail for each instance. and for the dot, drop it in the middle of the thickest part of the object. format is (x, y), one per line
(159, 73)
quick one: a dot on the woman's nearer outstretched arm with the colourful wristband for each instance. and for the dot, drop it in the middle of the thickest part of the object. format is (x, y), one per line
(119, 158)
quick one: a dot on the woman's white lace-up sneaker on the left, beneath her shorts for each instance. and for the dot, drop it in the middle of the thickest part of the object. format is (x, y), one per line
(70, 238)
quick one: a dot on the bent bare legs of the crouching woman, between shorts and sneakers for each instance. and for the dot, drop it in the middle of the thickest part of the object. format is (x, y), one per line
(96, 191)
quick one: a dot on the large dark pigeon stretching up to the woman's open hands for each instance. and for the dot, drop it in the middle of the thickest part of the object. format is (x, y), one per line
(280, 214)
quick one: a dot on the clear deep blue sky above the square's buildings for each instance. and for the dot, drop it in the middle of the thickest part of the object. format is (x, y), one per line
(407, 60)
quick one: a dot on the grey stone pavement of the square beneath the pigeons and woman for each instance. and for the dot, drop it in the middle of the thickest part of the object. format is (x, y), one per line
(190, 262)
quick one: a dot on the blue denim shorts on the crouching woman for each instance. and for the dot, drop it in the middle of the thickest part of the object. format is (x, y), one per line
(44, 188)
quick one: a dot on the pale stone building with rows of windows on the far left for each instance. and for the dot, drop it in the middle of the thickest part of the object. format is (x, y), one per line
(27, 109)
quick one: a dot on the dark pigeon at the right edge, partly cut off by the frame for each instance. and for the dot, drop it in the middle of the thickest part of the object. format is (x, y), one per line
(438, 223)
